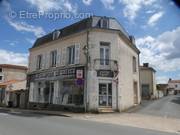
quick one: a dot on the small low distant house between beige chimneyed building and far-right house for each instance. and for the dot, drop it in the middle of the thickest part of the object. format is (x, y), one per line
(162, 90)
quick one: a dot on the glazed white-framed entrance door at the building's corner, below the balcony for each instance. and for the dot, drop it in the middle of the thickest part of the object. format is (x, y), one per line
(105, 94)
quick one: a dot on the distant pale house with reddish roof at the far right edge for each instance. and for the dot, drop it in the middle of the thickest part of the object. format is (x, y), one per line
(173, 86)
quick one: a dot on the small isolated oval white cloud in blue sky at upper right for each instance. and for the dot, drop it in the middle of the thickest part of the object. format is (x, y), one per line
(154, 18)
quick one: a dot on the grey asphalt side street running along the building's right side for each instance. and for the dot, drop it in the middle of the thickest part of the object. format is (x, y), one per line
(165, 107)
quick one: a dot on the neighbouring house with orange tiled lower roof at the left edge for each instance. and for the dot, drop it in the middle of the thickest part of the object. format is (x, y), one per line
(13, 90)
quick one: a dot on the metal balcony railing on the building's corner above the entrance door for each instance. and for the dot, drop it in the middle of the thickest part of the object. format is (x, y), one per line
(106, 64)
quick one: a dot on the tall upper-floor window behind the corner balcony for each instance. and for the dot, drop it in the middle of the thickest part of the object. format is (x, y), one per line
(104, 53)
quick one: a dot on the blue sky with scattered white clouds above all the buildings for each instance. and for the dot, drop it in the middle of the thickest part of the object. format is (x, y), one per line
(155, 24)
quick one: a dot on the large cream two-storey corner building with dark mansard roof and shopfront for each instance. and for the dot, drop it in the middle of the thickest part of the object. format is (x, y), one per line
(92, 64)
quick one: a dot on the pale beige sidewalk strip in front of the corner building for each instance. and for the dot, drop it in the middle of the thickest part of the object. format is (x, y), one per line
(127, 119)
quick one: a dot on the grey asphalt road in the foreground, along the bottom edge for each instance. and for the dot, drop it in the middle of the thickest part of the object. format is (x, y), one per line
(30, 124)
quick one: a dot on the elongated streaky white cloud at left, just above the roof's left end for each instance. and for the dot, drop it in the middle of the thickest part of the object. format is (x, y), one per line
(22, 26)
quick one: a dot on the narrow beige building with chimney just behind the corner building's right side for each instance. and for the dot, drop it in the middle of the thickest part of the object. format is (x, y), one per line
(148, 82)
